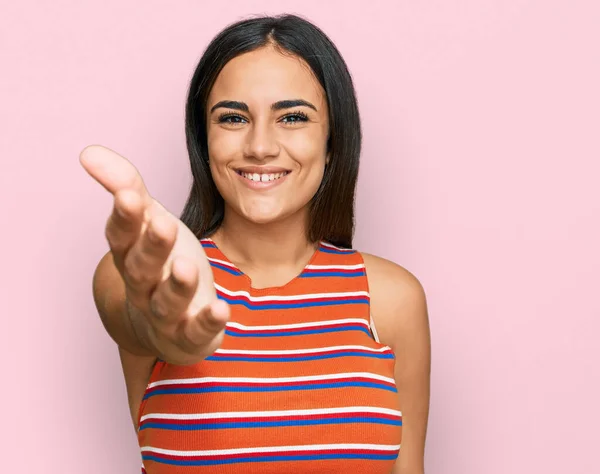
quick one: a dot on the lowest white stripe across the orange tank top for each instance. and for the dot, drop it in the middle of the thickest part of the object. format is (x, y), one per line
(268, 449)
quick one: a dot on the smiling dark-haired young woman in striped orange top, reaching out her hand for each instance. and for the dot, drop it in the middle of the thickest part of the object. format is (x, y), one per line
(246, 329)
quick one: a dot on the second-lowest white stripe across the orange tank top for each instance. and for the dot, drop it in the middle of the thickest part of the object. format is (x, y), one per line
(258, 414)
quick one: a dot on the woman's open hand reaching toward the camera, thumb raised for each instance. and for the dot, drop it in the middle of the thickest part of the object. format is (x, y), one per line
(168, 279)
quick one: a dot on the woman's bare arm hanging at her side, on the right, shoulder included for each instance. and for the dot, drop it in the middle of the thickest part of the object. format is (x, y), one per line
(399, 311)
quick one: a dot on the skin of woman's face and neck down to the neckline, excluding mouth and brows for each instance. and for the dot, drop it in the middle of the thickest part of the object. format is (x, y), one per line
(262, 229)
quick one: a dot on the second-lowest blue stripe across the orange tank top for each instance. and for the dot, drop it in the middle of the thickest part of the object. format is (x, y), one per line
(267, 424)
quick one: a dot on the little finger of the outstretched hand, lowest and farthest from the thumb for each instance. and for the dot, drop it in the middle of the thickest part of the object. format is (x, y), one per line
(206, 325)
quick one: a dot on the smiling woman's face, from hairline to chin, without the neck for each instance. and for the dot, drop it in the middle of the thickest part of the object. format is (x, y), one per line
(267, 134)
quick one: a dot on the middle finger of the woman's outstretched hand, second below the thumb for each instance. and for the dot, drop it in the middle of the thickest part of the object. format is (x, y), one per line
(145, 261)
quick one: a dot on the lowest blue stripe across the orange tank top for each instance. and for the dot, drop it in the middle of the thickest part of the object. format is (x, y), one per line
(280, 457)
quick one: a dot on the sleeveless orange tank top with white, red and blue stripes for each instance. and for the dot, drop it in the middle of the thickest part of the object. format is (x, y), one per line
(300, 382)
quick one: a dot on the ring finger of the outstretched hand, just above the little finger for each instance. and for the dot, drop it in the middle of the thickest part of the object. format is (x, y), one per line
(172, 296)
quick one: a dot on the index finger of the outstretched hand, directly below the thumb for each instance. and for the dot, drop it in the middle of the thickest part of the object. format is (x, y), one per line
(124, 225)
